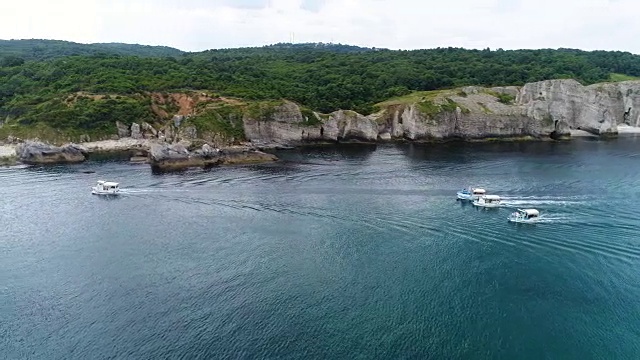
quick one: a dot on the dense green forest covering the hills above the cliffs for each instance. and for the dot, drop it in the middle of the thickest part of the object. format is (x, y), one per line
(36, 75)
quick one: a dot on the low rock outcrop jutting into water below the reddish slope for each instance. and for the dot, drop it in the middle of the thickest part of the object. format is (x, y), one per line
(165, 157)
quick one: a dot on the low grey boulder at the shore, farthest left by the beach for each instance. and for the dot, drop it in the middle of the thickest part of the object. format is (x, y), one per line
(35, 152)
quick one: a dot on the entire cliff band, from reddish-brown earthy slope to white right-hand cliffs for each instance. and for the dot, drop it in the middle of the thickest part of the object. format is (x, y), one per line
(542, 110)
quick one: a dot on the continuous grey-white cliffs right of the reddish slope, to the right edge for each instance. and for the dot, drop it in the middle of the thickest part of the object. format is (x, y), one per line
(546, 109)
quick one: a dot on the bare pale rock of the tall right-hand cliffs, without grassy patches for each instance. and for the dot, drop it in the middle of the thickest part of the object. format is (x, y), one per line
(541, 109)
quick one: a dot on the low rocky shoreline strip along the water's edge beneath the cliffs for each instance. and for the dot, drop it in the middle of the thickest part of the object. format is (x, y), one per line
(162, 156)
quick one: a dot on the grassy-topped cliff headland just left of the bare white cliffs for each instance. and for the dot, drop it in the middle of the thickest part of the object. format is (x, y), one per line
(468, 113)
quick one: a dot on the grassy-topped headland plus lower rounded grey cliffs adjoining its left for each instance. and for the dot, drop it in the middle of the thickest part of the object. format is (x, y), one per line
(469, 113)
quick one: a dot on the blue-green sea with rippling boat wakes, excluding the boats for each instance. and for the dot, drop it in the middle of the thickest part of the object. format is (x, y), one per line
(336, 252)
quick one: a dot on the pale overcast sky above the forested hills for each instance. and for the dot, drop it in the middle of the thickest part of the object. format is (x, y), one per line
(195, 25)
